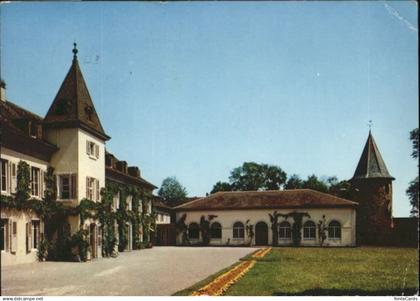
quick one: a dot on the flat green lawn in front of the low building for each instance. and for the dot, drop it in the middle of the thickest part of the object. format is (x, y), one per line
(332, 271)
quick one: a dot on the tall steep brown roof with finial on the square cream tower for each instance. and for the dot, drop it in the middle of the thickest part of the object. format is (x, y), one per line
(73, 106)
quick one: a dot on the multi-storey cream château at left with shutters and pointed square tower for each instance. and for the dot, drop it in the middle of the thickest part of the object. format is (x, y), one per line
(70, 140)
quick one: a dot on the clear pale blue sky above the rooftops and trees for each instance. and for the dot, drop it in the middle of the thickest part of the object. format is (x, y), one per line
(193, 90)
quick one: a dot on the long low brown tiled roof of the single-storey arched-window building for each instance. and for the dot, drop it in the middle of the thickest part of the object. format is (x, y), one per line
(295, 198)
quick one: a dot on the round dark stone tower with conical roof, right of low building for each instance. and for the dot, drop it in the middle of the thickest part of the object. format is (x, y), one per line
(371, 187)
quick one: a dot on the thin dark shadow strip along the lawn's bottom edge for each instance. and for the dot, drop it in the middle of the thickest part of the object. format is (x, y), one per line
(351, 292)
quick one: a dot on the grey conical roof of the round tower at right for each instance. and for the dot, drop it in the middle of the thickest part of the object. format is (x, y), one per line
(371, 164)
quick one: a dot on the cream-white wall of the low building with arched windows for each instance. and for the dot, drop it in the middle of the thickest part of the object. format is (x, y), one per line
(346, 217)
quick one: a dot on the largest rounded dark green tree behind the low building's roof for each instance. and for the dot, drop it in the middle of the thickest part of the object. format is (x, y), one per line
(254, 176)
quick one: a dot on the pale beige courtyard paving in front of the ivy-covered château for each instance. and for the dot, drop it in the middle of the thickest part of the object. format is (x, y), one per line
(158, 271)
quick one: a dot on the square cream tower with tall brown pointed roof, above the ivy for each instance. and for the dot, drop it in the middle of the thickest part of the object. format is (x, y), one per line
(73, 125)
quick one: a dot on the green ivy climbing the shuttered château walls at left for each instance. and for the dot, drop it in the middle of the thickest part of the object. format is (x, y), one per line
(57, 242)
